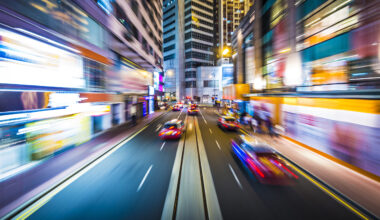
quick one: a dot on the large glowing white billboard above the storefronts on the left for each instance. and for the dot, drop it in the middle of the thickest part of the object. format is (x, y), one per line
(26, 61)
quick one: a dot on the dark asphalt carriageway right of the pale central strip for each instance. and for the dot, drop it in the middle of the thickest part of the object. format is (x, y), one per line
(241, 196)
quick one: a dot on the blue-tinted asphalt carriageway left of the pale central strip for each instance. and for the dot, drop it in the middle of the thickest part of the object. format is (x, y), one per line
(114, 188)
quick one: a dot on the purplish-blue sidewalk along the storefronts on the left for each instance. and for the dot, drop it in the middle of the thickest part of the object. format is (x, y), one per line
(21, 188)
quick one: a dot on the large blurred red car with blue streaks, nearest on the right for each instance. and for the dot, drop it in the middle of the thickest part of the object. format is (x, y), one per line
(264, 162)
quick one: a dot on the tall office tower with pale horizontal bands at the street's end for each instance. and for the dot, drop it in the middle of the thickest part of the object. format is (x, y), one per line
(188, 41)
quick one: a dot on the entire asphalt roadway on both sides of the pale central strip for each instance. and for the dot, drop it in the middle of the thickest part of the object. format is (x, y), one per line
(132, 183)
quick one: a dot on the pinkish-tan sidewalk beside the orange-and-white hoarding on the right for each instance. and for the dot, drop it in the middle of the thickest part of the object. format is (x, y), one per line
(359, 188)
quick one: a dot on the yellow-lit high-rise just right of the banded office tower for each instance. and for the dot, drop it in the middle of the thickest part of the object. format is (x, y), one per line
(230, 13)
